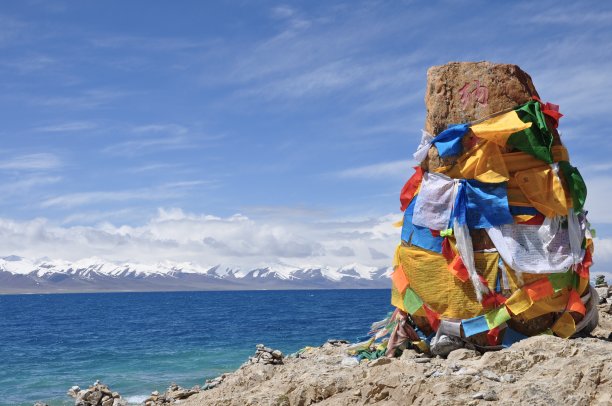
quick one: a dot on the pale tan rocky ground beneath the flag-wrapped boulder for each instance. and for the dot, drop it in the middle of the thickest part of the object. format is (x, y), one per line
(541, 370)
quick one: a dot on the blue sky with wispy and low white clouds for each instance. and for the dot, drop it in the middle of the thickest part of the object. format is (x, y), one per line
(259, 131)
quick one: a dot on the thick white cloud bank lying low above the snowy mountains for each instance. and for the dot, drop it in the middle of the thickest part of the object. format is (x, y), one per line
(239, 240)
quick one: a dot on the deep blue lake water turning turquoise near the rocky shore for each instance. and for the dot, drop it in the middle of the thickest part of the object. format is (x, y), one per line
(139, 342)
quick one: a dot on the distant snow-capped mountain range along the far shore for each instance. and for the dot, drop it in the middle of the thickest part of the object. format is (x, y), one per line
(22, 275)
